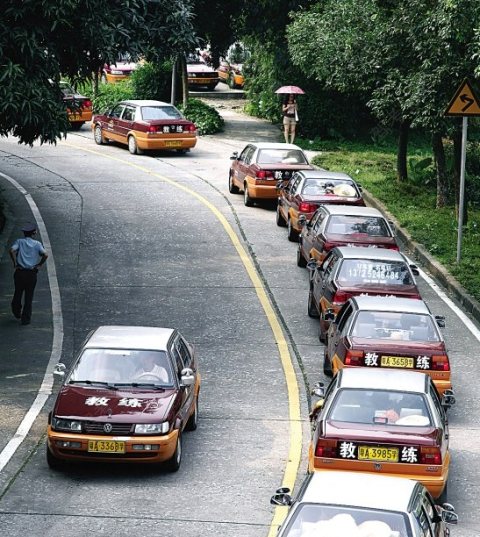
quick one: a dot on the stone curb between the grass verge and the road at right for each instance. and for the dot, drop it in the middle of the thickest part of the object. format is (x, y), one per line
(438, 271)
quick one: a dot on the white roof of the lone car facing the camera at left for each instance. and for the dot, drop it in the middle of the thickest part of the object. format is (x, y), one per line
(130, 337)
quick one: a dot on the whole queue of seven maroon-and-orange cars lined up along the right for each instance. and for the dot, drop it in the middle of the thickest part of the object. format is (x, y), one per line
(383, 417)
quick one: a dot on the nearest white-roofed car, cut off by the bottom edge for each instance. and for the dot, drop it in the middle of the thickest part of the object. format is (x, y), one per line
(354, 504)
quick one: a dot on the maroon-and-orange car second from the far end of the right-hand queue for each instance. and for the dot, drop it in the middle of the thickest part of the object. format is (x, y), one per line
(307, 190)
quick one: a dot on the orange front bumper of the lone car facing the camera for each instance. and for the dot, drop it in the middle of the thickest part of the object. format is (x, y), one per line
(165, 450)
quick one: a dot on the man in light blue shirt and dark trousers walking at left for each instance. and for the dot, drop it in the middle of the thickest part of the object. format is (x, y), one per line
(27, 255)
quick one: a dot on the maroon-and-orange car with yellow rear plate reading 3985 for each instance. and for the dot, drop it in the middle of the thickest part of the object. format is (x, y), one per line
(382, 421)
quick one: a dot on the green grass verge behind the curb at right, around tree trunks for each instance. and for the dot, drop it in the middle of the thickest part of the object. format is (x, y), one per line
(412, 203)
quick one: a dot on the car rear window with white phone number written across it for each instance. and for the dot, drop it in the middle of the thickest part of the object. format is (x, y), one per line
(360, 272)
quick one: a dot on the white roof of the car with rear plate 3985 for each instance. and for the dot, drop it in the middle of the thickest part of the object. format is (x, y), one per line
(384, 379)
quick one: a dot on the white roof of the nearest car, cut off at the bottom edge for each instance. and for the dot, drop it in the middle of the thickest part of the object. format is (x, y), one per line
(359, 490)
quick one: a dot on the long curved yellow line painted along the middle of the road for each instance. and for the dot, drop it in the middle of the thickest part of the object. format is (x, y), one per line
(295, 447)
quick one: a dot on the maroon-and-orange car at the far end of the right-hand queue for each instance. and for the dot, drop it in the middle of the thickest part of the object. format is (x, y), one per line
(260, 166)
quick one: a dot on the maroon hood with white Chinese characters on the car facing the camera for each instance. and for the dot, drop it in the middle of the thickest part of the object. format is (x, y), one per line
(123, 405)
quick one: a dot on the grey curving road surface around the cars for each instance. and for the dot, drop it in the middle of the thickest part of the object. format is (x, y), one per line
(129, 246)
